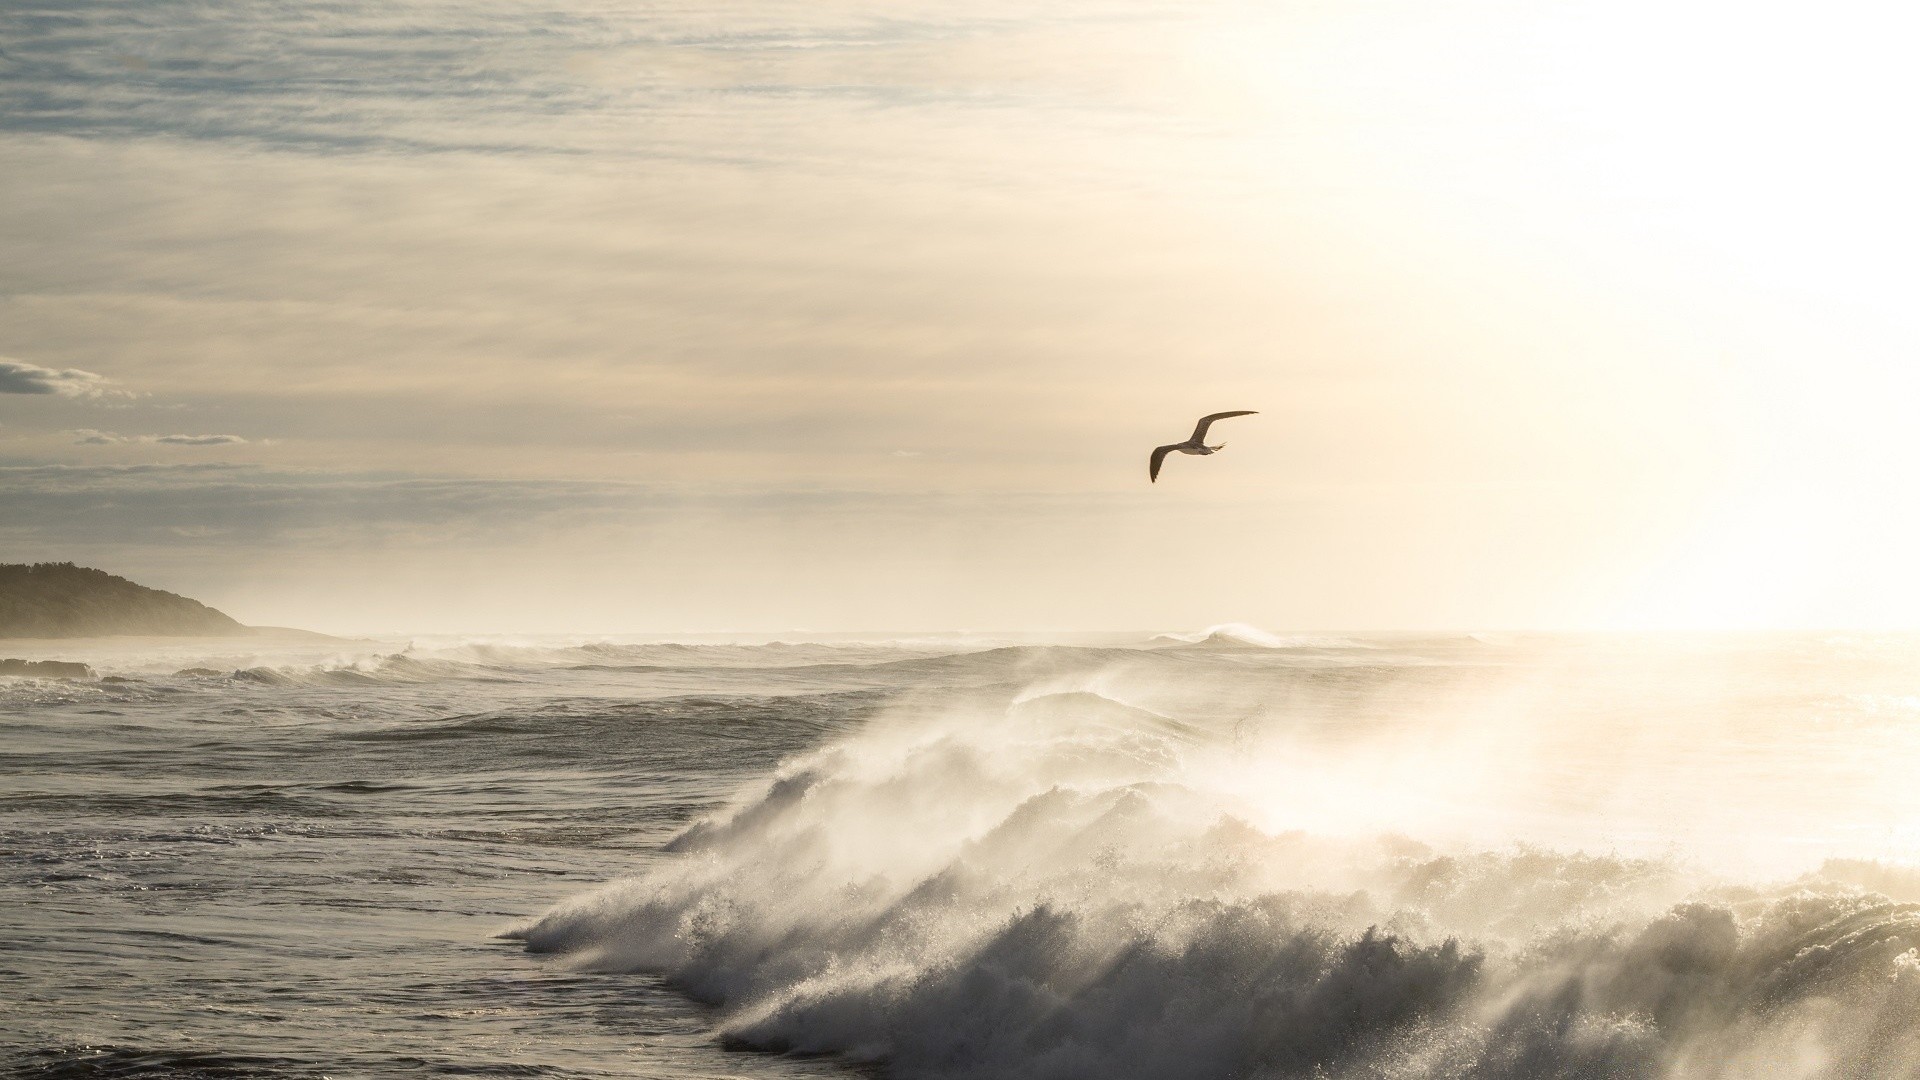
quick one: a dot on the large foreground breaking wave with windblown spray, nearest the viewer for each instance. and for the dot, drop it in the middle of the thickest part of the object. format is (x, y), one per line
(1059, 889)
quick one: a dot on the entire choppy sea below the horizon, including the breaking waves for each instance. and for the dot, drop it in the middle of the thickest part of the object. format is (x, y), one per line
(955, 856)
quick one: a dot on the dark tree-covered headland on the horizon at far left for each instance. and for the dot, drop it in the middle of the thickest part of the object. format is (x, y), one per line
(62, 601)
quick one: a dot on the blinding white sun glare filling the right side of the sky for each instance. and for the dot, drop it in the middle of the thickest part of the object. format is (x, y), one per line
(1733, 180)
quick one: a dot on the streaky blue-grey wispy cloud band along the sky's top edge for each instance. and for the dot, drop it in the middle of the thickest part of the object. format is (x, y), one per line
(504, 78)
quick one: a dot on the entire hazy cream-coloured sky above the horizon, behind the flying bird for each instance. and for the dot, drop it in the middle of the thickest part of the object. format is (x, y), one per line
(477, 316)
